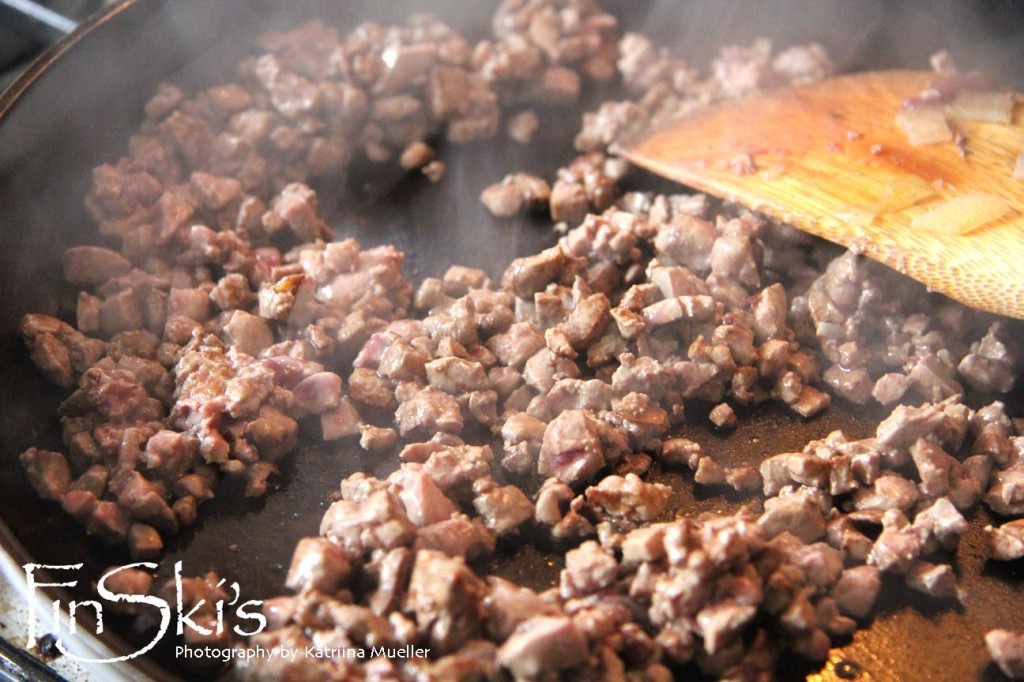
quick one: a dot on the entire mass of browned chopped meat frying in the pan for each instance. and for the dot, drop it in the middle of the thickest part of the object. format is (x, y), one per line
(224, 316)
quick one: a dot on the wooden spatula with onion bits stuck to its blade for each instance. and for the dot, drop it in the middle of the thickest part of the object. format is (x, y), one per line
(825, 154)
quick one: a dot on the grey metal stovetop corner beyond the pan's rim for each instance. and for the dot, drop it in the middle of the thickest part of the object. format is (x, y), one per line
(24, 34)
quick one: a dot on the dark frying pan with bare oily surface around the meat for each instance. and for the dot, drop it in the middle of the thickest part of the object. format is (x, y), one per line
(77, 106)
